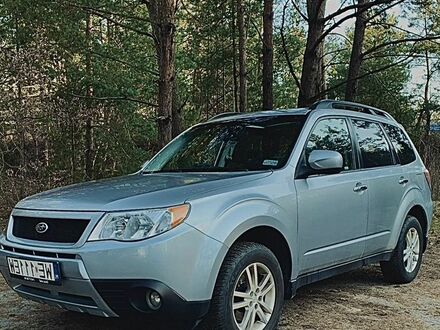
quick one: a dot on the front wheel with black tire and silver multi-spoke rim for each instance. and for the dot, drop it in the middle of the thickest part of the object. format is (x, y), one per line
(233, 276)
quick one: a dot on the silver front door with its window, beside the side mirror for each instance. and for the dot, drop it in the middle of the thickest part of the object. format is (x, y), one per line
(332, 209)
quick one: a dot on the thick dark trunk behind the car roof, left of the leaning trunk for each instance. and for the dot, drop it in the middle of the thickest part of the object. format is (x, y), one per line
(312, 76)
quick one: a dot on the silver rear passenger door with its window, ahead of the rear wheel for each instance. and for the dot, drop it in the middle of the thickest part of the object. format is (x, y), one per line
(384, 179)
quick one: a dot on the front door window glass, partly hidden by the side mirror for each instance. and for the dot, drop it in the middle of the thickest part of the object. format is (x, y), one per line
(332, 134)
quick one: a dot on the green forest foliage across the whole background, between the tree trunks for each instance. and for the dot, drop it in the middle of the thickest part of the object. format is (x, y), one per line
(56, 76)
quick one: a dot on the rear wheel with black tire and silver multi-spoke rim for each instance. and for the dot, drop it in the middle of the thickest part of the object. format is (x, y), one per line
(401, 268)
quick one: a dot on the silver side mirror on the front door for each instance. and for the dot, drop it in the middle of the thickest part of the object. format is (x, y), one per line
(326, 161)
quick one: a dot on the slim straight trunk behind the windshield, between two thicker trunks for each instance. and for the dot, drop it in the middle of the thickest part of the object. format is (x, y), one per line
(242, 56)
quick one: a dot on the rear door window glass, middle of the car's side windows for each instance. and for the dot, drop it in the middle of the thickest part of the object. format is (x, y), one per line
(375, 150)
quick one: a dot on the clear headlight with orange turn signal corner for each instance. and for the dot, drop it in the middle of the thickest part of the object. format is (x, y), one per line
(136, 225)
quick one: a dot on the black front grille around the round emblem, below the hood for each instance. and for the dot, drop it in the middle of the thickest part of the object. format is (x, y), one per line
(58, 230)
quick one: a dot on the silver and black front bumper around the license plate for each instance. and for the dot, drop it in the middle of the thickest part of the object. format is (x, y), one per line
(111, 278)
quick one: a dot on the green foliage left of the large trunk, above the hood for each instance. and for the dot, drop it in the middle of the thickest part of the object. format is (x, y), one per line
(49, 62)
